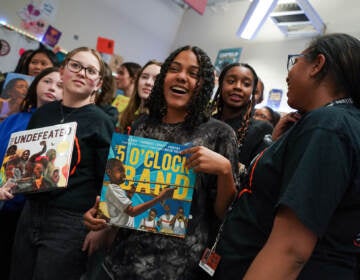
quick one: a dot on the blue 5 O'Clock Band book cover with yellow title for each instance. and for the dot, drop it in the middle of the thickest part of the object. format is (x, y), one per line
(150, 175)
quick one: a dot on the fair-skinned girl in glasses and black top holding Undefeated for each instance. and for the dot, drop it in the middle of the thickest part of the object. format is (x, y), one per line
(50, 231)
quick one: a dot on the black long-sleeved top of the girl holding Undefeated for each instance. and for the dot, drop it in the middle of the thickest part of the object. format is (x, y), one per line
(94, 131)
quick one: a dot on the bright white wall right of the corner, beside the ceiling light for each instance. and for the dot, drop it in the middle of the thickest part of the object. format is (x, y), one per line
(267, 56)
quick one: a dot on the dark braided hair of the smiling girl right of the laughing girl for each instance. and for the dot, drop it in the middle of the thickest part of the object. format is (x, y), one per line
(219, 102)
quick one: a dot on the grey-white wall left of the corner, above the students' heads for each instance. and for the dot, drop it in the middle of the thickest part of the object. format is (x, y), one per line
(142, 29)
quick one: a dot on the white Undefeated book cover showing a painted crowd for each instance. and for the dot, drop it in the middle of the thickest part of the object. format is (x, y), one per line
(38, 160)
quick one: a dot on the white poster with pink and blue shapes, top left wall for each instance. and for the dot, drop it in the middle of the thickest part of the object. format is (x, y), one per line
(35, 16)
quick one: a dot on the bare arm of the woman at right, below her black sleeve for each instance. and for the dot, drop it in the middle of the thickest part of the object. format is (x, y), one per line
(288, 248)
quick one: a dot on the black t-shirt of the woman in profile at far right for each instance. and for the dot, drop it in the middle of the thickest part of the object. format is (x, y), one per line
(314, 169)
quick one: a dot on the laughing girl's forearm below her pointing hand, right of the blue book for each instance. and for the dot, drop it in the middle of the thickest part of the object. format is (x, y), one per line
(226, 190)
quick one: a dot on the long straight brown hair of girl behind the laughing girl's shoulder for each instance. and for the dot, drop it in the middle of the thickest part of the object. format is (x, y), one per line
(128, 116)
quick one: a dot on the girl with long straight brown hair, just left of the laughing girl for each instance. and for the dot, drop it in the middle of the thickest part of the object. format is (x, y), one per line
(143, 87)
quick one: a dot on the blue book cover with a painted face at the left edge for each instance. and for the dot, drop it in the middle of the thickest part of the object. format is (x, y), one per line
(13, 92)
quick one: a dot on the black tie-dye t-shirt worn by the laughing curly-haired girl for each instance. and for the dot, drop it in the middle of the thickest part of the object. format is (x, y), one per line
(143, 255)
